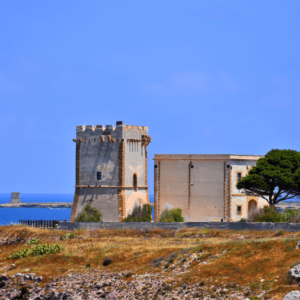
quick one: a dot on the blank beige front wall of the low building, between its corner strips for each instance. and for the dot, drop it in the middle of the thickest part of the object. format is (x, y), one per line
(197, 187)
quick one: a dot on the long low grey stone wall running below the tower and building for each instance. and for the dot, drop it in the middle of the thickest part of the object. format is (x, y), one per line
(176, 226)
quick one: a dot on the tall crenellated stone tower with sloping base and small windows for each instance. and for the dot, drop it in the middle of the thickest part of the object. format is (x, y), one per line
(111, 169)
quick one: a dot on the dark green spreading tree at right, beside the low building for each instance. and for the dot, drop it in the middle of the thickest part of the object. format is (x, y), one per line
(275, 178)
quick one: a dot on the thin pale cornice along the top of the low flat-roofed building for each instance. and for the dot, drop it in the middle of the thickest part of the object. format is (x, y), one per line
(206, 157)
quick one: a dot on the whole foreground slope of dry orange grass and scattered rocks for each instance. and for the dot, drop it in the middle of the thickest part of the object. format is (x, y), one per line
(186, 264)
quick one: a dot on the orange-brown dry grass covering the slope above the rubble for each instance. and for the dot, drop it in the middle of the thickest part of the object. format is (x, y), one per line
(250, 257)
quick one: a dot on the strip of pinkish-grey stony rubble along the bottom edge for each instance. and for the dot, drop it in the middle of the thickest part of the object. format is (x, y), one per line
(98, 285)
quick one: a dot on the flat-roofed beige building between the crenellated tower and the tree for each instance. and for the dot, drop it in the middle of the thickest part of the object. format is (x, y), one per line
(203, 186)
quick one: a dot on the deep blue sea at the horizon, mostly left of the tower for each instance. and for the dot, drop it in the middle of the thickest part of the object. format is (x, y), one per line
(13, 215)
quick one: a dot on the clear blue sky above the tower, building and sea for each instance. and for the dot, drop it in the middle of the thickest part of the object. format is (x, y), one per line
(204, 76)
